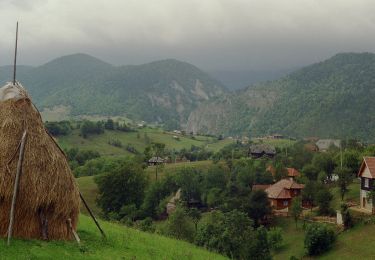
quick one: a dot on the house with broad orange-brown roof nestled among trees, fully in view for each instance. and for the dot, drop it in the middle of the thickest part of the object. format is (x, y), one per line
(282, 193)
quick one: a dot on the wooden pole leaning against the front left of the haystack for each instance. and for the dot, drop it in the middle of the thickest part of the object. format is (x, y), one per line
(16, 184)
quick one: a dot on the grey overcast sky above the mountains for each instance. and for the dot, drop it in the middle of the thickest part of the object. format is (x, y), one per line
(212, 34)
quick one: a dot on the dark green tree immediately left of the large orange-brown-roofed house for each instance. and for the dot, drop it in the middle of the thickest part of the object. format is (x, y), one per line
(259, 206)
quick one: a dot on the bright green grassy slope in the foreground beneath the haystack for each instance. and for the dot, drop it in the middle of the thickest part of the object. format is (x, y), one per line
(121, 243)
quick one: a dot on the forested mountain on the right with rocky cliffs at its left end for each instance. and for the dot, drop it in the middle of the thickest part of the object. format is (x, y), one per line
(333, 98)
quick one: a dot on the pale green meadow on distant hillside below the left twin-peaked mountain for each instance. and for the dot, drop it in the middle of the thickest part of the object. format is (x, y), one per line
(139, 141)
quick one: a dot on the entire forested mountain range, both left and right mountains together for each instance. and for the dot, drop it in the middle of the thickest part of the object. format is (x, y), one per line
(332, 98)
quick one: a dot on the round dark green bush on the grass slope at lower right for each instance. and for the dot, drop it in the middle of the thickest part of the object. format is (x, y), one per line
(318, 239)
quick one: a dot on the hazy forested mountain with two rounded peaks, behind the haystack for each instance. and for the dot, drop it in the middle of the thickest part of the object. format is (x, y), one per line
(163, 91)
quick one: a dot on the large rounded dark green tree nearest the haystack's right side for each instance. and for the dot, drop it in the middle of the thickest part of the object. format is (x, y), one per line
(123, 185)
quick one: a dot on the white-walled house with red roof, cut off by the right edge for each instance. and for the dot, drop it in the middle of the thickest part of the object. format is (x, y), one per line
(367, 175)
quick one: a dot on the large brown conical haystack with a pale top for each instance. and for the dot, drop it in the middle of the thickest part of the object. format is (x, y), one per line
(47, 189)
